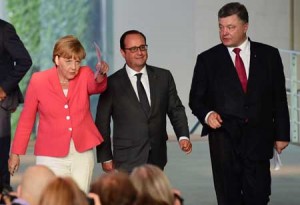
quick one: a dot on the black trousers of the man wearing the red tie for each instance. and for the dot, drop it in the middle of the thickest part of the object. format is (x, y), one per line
(237, 179)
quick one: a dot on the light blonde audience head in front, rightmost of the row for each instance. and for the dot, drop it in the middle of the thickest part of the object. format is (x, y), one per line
(152, 185)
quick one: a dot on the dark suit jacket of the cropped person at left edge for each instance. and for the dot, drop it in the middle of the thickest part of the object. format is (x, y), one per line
(15, 60)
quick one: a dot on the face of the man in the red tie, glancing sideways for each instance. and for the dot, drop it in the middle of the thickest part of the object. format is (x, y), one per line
(232, 31)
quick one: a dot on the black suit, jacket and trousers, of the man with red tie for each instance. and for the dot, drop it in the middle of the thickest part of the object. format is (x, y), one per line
(252, 121)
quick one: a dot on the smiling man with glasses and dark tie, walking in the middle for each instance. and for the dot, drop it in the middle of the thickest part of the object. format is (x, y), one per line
(139, 130)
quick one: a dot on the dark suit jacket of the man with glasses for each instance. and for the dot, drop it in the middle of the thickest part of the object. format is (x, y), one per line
(135, 133)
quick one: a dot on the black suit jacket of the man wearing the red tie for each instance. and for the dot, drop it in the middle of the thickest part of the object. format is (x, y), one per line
(261, 114)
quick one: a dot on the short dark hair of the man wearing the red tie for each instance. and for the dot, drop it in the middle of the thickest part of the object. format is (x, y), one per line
(234, 8)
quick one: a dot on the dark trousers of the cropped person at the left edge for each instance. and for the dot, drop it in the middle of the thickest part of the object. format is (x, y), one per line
(5, 140)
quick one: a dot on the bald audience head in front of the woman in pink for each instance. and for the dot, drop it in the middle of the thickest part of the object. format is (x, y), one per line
(33, 182)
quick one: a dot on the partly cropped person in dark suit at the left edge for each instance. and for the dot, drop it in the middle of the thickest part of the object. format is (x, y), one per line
(15, 61)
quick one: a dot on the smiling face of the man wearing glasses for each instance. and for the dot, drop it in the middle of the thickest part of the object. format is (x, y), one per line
(135, 60)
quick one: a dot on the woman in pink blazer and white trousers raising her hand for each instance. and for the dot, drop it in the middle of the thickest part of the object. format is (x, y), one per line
(60, 96)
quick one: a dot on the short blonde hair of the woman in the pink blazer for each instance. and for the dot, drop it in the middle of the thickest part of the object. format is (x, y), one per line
(68, 47)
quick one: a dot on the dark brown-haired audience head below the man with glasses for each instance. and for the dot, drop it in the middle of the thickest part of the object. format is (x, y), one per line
(114, 188)
